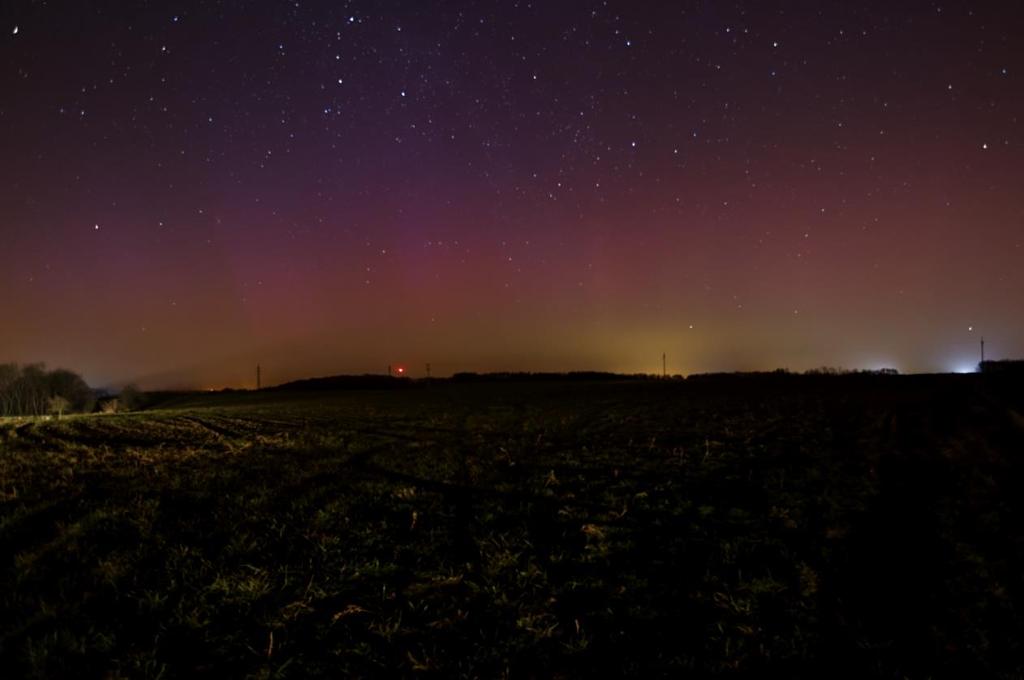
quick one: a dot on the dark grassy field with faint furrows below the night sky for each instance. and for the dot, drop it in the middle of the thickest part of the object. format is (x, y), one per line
(854, 527)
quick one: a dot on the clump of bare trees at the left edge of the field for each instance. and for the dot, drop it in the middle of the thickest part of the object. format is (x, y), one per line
(32, 391)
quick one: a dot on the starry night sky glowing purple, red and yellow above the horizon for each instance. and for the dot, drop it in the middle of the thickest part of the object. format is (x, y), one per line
(191, 189)
